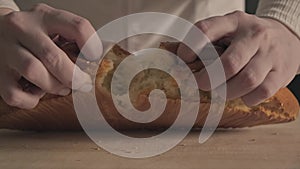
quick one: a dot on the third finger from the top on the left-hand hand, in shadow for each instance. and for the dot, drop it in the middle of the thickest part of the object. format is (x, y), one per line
(35, 72)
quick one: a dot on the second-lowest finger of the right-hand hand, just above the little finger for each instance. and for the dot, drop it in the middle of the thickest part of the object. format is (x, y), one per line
(252, 75)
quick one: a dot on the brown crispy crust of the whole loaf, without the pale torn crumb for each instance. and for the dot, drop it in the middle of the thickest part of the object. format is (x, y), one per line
(57, 113)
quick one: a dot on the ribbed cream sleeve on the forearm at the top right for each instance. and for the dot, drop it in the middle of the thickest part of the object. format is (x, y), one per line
(284, 11)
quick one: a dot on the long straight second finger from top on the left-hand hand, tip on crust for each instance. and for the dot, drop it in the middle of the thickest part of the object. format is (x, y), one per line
(55, 60)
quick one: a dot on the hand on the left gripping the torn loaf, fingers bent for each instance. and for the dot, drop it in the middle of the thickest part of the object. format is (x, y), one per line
(28, 52)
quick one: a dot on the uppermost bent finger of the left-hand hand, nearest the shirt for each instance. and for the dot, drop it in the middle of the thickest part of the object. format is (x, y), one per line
(74, 28)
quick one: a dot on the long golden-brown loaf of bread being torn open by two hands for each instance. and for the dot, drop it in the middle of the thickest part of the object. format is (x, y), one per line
(57, 113)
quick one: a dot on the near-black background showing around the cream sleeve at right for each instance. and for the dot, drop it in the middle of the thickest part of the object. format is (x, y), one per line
(251, 6)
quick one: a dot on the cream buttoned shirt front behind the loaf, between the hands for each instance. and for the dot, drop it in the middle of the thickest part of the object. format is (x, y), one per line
(101, 12)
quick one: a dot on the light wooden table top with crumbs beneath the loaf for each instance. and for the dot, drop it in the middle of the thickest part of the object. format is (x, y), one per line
(266, 147)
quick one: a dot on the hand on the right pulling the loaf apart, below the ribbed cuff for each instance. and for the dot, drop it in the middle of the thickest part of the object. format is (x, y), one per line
(262, 57)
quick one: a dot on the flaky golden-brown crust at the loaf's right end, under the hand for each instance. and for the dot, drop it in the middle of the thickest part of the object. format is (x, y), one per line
(282, 107)
